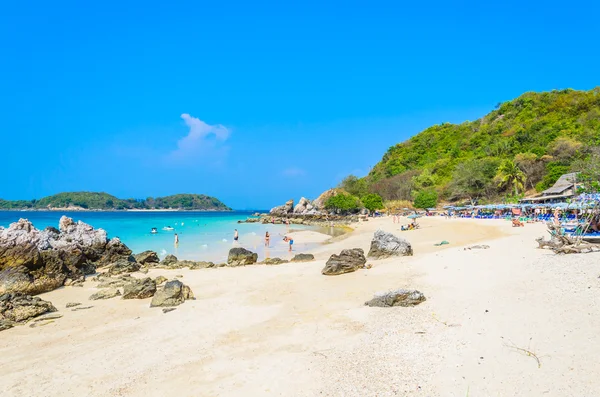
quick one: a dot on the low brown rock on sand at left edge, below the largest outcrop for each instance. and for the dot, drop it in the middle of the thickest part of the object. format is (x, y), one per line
(18, 308)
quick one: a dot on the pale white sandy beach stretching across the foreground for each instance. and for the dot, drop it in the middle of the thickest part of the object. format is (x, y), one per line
(287, 330)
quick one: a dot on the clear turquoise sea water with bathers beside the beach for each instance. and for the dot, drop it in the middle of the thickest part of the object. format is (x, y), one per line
(202, 235)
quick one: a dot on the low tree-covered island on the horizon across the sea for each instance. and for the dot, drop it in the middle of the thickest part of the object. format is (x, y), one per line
(79, 201)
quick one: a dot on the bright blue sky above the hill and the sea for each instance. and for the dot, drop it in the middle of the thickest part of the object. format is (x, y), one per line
(259, 102)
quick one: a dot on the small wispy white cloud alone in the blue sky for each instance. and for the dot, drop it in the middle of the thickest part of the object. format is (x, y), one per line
(201, 139)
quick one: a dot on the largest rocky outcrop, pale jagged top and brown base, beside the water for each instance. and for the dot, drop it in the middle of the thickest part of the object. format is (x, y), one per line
(33, 261)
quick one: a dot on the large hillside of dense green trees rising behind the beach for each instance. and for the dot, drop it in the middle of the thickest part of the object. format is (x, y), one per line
(524, 144)
